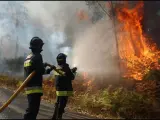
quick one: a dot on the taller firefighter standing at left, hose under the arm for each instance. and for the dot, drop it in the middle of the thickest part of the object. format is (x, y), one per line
(33, 89)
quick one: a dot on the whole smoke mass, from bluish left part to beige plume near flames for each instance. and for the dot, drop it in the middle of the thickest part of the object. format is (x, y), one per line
(90, 47)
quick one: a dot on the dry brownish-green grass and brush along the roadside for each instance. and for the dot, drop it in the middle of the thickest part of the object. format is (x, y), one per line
(111, 102)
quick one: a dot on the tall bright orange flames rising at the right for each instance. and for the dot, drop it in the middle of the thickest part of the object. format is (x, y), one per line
(137, 52)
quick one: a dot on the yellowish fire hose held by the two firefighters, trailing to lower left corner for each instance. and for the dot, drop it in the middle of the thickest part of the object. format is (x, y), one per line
(5, 105)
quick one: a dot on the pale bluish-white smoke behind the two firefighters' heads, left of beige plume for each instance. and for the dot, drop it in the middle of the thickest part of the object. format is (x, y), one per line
(51, 21)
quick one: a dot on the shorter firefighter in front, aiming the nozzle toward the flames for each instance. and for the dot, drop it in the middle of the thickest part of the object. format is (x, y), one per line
(63, 84)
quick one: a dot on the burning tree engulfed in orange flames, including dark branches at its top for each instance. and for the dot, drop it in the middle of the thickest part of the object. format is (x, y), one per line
(138, 53)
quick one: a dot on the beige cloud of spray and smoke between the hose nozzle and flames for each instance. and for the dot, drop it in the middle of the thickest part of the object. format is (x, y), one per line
(95, 50)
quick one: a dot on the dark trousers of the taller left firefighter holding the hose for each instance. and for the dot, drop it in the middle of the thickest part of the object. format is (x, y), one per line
(33, 106)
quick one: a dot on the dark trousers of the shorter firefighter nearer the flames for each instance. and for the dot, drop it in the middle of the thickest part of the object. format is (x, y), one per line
(60, 105)
